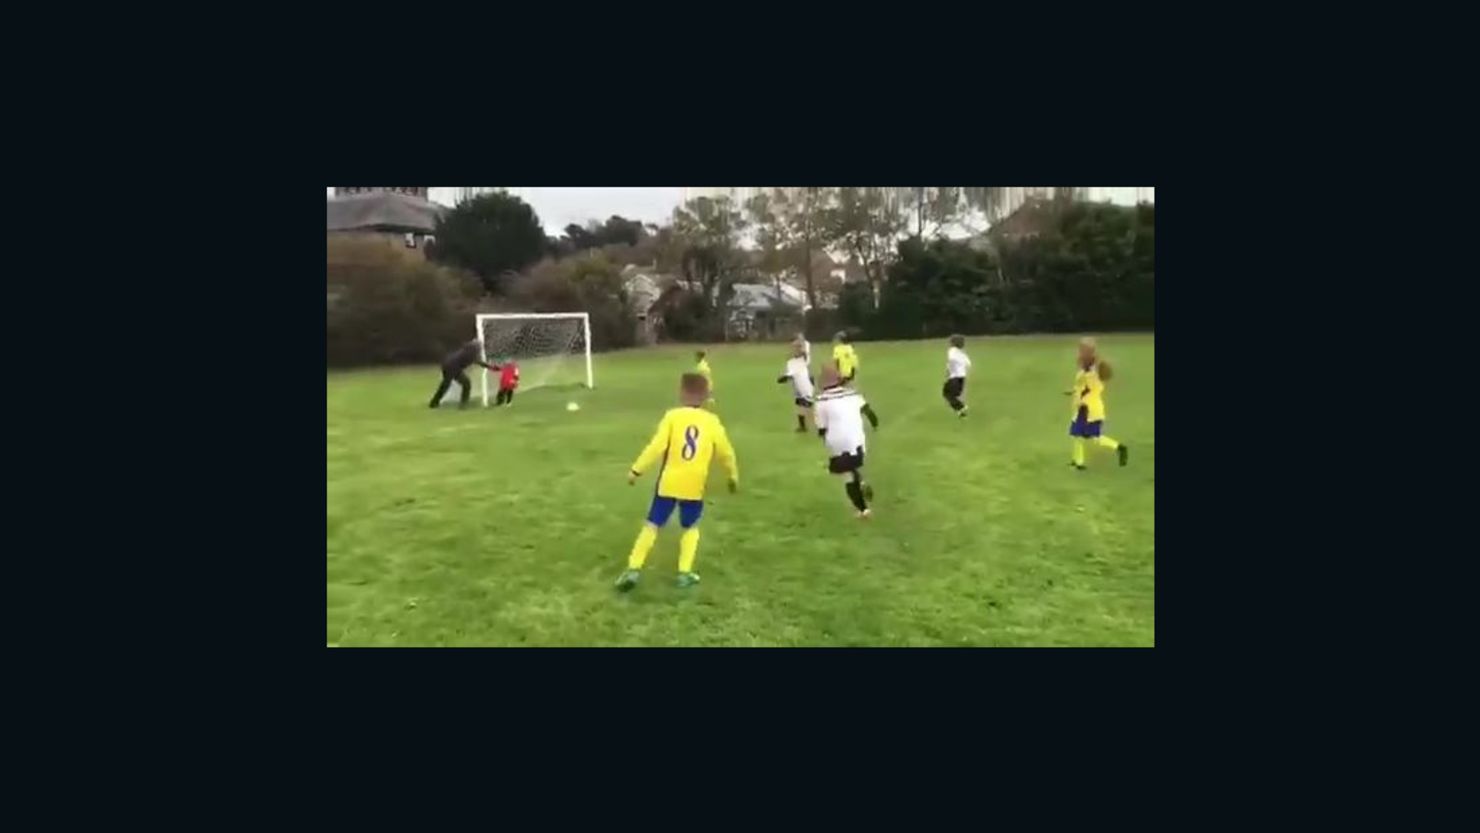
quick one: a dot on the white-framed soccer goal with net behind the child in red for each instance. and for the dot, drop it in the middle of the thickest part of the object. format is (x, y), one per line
(551, 348)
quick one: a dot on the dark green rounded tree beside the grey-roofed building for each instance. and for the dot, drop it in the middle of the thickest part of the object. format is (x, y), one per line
(492, 236)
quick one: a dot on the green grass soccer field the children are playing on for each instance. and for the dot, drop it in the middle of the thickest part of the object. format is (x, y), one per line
(508, 527)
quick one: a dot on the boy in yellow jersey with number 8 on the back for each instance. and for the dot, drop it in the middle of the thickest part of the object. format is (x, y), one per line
(687, 440)
